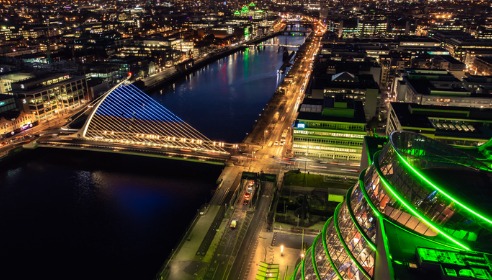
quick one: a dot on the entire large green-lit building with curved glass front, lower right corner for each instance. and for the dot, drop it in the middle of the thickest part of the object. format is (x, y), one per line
(420, 210)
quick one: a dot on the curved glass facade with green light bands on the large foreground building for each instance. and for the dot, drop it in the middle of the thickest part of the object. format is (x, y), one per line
(404, 184)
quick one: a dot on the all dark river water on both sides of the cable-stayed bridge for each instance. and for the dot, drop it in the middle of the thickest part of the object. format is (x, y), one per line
(84, 215)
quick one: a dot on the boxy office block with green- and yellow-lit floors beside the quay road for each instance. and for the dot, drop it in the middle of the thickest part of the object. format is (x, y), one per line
(329, 129)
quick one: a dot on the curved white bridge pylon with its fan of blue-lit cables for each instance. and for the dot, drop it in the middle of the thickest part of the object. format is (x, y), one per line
(127, 115)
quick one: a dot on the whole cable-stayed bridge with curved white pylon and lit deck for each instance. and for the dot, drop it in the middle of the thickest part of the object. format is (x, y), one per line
(127, 120)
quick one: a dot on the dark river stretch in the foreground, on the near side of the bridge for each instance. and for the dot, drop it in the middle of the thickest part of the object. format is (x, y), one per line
(117, 217)
